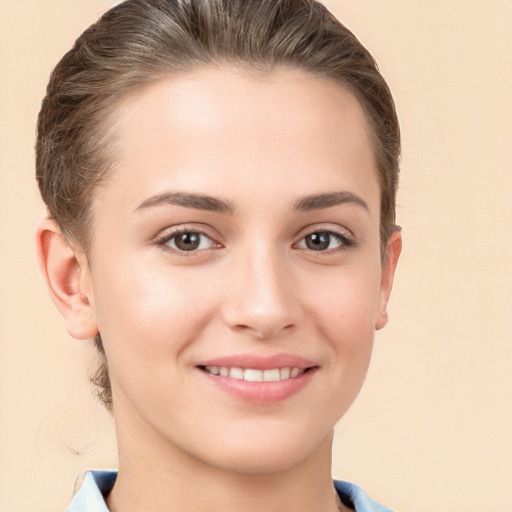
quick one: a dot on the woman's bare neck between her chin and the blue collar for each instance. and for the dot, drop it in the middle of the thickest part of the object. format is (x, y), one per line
(166, 479)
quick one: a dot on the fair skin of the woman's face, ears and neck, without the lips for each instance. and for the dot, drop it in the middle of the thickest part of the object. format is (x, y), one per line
(260, 144)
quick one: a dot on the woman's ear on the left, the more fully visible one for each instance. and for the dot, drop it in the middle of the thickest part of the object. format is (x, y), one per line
(67, 276)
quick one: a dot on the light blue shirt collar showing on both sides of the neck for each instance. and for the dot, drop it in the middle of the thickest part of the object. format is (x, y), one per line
(97, 485)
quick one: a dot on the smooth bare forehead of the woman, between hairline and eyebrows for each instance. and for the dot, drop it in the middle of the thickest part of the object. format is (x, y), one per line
(227, 128)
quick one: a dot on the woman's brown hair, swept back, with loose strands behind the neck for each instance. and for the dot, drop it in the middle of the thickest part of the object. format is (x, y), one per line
(141, 41)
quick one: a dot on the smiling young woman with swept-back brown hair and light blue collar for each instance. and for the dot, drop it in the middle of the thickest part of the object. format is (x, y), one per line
(220, 177)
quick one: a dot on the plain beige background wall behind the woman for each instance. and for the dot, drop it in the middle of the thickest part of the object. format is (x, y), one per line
(432, 428)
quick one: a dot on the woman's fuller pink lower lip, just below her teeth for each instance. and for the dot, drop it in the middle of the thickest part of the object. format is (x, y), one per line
(261, 392)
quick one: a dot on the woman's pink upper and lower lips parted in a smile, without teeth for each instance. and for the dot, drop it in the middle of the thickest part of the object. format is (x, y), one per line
(260, 393)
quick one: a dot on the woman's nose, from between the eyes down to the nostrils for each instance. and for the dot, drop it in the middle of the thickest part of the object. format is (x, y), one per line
(261, 299)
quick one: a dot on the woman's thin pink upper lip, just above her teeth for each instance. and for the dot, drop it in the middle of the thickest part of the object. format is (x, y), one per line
(259, 362)
